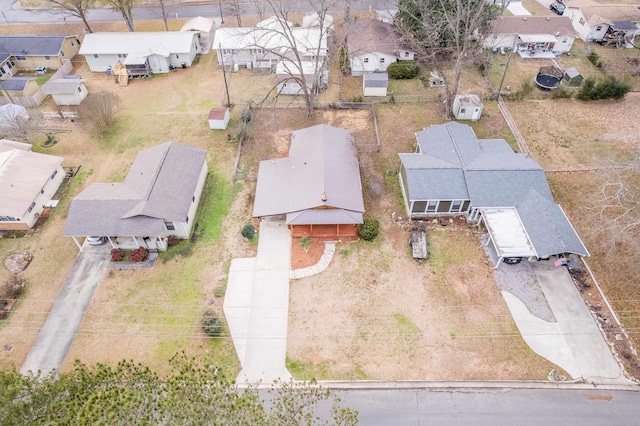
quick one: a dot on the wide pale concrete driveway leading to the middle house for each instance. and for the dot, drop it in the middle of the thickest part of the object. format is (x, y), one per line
(256, 305)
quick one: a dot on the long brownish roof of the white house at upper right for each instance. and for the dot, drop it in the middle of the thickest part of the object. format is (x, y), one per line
(554, 25)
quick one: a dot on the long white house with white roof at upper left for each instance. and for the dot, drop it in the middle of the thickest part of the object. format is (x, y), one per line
(162, 50)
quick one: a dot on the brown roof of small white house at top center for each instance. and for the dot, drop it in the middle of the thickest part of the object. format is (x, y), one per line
(369, 35)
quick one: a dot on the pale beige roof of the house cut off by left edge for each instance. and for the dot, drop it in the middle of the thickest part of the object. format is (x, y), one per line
(23, 174)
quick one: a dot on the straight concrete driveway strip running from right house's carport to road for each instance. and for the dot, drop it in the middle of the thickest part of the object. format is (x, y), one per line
(588, 347)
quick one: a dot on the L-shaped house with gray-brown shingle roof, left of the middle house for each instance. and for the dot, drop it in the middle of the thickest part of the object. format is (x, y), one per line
(158, 198)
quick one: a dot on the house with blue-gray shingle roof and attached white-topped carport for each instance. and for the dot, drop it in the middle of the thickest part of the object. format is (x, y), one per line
(453, 172)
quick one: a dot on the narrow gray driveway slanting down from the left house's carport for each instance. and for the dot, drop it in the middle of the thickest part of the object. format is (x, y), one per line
(57, 333)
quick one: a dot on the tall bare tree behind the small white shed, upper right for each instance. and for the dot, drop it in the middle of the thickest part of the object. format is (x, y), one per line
(444, 32)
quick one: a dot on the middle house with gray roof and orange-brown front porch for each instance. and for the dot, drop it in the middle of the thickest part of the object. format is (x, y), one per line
(317, 186)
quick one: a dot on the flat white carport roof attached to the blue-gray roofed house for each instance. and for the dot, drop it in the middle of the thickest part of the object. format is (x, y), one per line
(507, 232)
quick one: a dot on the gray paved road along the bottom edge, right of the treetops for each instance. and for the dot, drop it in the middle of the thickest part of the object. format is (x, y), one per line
(493, 406)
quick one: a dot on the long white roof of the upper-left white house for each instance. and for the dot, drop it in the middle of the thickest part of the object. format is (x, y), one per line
(137, 42)
